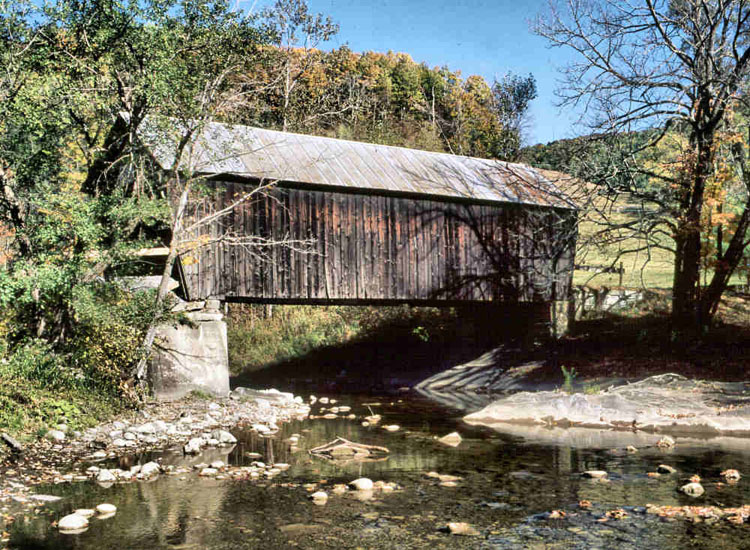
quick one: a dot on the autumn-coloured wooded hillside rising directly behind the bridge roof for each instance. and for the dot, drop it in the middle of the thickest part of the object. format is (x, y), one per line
(384, 98)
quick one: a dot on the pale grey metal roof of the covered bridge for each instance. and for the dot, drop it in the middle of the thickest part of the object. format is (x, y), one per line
(282, 156)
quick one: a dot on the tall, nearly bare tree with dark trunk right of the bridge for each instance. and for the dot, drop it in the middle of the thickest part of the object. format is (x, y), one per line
(666, 65)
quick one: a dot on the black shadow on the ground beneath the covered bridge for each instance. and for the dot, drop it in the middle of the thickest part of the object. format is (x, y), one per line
(393, 356)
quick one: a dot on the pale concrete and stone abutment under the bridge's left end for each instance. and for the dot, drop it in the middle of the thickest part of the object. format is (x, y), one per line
(192, 358)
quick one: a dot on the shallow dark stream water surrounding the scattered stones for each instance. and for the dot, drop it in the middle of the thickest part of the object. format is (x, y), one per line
(507, 483)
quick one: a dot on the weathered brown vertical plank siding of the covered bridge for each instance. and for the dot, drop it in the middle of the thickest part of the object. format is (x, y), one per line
(370, 248)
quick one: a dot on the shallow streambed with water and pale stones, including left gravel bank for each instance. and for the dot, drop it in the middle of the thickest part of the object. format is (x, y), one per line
(253, 482)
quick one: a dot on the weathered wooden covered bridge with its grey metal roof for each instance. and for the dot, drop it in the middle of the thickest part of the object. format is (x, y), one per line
(343, 222)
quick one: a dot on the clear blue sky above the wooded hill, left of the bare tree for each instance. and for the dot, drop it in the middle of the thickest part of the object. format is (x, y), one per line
(485, 37)
